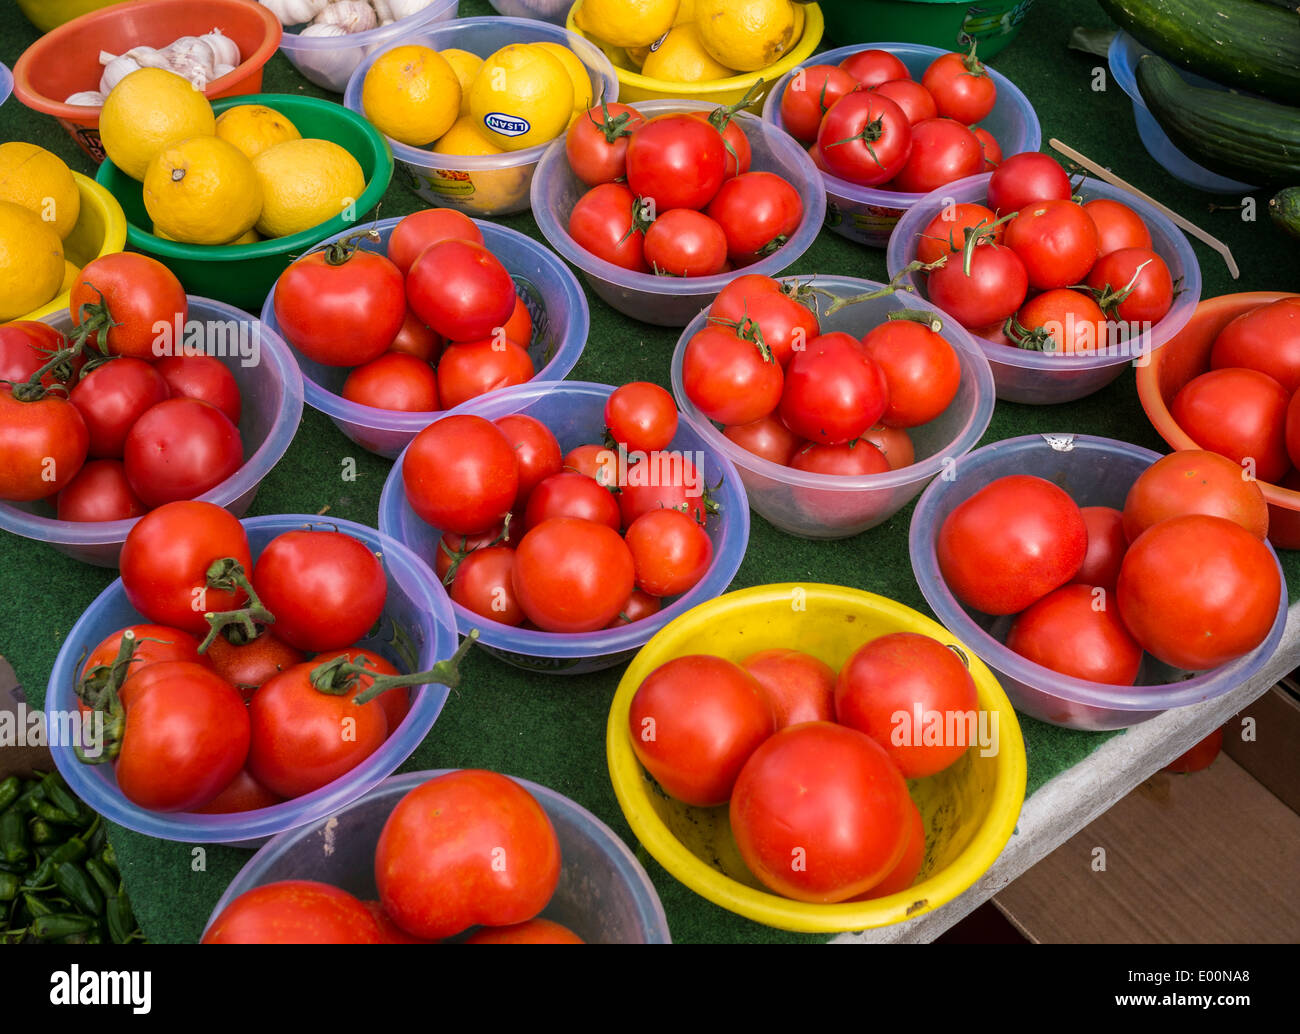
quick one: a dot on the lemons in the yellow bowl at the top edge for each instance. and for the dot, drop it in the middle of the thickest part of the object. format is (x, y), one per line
(692, 41)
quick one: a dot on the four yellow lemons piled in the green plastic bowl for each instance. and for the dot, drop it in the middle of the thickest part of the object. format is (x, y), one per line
(233, 180)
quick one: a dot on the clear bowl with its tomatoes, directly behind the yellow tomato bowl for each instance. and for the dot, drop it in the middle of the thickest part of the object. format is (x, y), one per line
(942, 401)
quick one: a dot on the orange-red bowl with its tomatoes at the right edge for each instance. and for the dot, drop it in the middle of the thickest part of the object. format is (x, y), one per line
(1254, 419)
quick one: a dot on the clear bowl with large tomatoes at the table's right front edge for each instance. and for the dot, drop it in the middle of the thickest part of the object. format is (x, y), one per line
(1026, 521)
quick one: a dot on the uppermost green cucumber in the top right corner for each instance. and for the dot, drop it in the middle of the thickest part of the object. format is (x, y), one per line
(1243, 44)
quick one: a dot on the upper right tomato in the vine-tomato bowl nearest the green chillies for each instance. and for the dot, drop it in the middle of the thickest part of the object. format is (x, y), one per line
(326, 589)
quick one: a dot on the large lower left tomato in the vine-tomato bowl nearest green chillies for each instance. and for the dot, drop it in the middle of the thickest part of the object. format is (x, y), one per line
(187, 737)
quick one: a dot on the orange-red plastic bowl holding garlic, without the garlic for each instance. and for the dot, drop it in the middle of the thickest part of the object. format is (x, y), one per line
(66, 60)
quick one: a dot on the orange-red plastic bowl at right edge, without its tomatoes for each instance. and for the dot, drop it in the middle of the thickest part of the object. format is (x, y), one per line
(1188, 356)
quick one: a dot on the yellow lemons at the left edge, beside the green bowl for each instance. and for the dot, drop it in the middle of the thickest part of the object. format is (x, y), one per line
(40, 205)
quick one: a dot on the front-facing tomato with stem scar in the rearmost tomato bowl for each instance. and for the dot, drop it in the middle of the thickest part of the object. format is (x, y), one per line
(865, 139)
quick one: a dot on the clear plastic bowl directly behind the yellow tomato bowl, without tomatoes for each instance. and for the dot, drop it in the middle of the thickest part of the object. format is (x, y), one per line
(825, 507)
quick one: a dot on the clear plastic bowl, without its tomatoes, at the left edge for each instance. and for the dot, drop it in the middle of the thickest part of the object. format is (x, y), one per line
(272, 391)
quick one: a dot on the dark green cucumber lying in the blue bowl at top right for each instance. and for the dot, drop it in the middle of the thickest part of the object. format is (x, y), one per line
(1246, 139)
